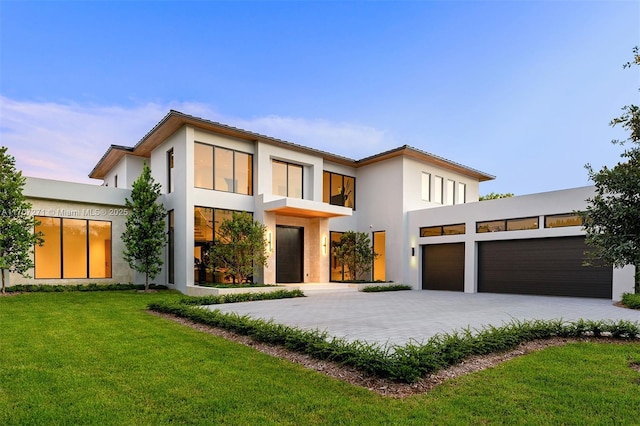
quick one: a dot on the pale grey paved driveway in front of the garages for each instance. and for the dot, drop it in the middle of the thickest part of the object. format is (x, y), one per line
(397, 317)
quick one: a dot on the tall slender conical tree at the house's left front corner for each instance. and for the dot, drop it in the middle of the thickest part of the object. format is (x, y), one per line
(144, 235)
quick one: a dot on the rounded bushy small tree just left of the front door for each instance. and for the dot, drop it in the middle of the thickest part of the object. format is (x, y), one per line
(239, 247)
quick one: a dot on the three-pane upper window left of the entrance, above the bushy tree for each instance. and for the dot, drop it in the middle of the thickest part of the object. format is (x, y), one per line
(223, 169)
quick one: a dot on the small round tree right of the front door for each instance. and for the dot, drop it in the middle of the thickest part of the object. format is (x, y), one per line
(354, 252)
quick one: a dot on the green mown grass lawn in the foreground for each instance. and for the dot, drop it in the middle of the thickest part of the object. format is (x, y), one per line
(99, 358)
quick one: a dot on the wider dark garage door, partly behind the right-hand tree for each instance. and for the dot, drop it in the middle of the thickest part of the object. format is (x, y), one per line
(545, 266)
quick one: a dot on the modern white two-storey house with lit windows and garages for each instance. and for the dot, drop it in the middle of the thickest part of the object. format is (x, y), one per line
(421, 211)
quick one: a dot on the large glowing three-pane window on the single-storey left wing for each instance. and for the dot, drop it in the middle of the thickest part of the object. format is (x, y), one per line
(73, 248)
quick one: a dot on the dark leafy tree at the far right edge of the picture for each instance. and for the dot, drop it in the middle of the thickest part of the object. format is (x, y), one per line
(612, 217)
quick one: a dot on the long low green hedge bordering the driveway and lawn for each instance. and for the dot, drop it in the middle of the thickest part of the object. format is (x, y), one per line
(408, 363)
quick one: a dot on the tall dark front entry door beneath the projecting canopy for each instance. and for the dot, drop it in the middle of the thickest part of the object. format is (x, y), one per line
(289, 254)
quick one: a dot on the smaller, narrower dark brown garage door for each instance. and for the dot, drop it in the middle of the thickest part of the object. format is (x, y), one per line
(443, 267)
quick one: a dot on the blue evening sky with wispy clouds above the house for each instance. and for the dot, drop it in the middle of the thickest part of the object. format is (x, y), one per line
(523, 90)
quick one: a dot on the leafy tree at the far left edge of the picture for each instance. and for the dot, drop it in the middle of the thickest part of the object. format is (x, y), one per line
(17, 236)
